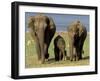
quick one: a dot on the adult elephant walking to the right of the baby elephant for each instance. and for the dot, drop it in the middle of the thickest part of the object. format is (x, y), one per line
(77, 34)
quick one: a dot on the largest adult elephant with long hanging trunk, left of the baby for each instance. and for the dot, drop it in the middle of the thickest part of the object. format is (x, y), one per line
(42, 29)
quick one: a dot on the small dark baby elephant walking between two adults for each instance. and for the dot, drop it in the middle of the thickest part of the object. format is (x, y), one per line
(59, 48)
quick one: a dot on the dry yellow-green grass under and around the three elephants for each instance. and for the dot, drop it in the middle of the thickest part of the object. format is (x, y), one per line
(31, 55)
